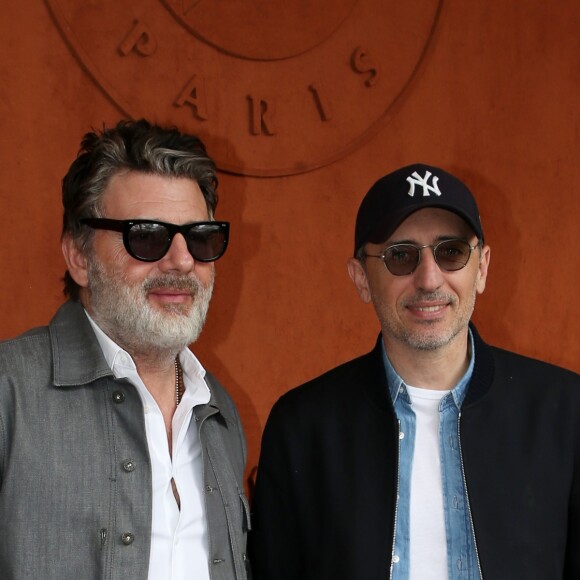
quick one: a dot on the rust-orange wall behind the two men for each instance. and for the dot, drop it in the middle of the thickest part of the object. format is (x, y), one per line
(494, 99)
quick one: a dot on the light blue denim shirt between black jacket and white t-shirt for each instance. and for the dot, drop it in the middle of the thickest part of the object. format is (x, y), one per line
(461, 552)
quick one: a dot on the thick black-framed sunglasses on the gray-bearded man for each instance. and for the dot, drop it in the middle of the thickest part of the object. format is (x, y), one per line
(149, 240)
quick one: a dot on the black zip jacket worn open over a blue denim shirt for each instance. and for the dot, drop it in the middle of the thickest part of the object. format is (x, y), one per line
(324, 503)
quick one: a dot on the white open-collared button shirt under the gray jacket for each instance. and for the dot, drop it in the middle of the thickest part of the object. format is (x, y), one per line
(179, 538)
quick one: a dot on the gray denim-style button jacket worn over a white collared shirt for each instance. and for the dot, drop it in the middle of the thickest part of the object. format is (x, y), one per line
(75, 473)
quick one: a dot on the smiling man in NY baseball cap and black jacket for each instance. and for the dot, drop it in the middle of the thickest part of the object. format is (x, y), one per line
(434, 456)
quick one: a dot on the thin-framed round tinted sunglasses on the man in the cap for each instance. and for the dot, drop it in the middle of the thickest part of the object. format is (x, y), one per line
(403, 259)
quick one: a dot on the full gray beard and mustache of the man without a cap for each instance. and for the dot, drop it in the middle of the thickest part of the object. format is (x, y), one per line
(124, 314)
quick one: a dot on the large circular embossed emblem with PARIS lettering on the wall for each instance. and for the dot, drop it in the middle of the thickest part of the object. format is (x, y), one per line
(274, 87)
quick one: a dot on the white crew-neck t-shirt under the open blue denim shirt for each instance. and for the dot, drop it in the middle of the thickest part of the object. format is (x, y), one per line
(428, 540)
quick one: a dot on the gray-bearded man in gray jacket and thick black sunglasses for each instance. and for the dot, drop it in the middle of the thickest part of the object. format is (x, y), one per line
(120, 456)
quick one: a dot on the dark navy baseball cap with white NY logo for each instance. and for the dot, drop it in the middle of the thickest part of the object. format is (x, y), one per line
(397, 195)
